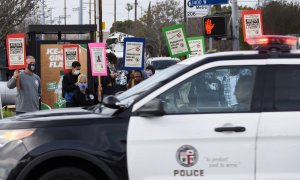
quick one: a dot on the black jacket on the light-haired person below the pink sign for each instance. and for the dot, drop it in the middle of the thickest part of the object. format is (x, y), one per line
(82, 100)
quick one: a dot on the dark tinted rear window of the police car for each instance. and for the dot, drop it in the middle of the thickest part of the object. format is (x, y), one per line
(287, 88)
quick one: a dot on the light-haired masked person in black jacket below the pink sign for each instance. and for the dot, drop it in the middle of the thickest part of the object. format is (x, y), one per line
(83, 96)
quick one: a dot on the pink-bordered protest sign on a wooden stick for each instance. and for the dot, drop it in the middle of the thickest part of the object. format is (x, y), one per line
(98, 59)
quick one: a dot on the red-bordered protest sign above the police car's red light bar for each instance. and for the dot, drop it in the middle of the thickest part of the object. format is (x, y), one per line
(252, 23)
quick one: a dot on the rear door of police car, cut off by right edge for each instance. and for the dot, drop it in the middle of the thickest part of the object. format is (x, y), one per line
(278, 143)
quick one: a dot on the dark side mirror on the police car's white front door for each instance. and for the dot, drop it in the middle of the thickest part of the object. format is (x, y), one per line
(152, 108)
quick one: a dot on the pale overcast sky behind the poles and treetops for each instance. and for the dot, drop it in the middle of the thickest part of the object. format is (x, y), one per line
(108, 10)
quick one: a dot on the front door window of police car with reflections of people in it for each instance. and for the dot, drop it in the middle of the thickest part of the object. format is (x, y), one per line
(222, 89)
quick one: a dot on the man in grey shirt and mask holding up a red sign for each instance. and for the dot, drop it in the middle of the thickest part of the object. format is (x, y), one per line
(28, 86)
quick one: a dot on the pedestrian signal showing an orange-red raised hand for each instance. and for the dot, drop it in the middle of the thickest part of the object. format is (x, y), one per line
(214, 26)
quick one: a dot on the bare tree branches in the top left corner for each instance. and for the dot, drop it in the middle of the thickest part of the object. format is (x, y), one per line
(13, 13)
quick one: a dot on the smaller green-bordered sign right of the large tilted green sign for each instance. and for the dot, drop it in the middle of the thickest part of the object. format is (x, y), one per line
(197, 45)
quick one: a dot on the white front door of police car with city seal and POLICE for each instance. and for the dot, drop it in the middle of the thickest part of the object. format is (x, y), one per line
(202, 134)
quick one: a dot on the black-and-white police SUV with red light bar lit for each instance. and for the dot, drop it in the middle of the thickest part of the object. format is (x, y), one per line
(229, 115)
